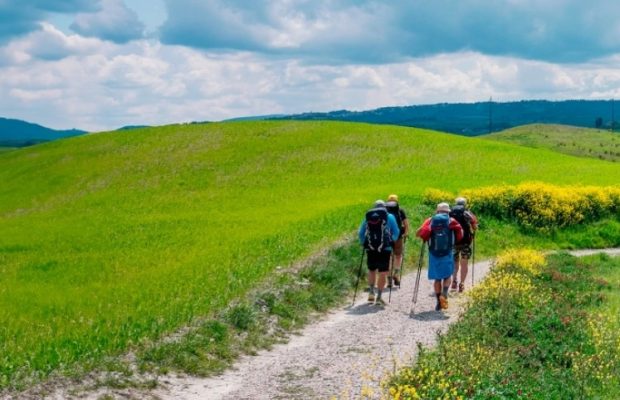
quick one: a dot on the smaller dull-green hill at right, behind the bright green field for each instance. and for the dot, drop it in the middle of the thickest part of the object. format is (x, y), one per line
(576, 141)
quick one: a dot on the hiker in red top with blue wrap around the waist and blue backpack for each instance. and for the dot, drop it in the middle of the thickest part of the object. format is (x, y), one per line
(441, 231)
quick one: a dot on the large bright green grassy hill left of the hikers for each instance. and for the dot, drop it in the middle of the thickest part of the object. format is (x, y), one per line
(111, 238)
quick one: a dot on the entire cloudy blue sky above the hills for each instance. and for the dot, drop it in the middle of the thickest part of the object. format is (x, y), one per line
(102, 64)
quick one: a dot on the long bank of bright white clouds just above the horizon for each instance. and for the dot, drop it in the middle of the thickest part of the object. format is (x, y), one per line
(147, 83)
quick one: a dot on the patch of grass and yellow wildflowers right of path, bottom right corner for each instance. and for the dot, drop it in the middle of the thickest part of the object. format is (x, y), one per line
(528, 332)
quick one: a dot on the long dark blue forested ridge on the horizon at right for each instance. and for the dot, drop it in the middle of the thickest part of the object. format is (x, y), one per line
(472, 119)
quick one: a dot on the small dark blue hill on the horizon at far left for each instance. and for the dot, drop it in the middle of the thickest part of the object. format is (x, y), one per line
(17, 133)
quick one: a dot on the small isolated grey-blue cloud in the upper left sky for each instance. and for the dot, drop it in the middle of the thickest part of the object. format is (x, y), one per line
(114, 22)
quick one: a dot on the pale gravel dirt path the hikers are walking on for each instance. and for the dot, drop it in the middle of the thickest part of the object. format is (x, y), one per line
(343, 356)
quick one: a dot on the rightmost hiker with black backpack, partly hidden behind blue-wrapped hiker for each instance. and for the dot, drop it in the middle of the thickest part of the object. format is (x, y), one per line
(463, 248)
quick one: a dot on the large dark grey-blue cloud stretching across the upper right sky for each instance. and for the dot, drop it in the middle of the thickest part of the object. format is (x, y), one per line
(328, 31)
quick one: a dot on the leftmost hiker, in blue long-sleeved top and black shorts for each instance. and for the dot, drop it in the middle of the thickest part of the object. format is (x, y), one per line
(377, 233)
